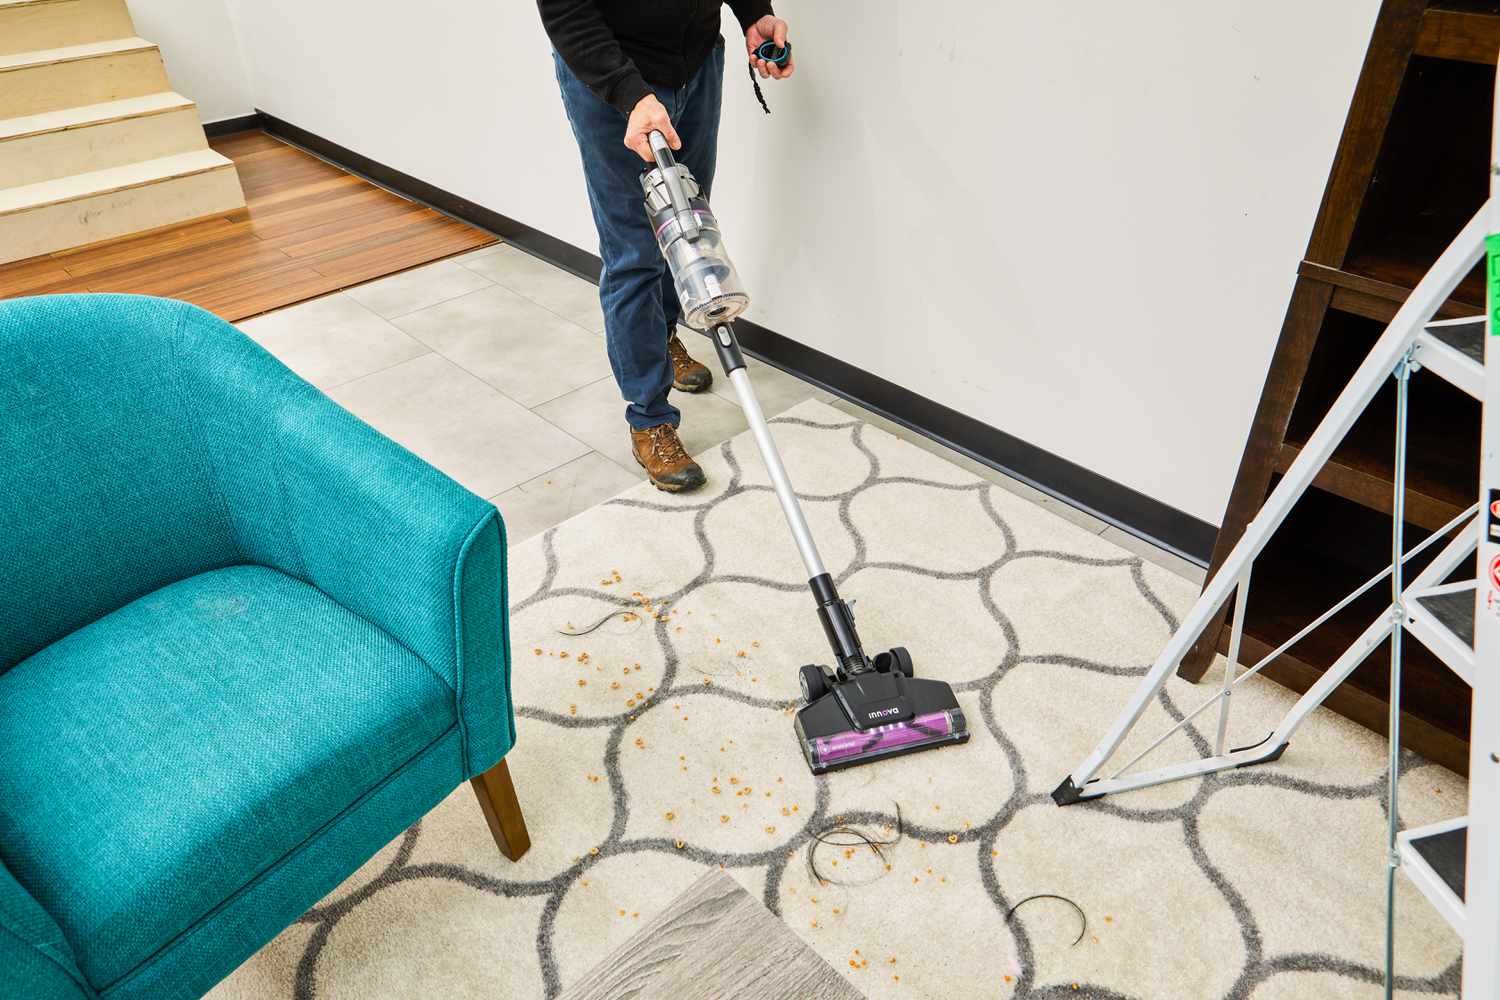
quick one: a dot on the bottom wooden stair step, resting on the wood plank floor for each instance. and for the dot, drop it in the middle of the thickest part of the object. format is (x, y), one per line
(103, 205)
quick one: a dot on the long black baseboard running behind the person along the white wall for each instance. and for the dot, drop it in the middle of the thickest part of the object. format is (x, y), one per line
(1072, 484)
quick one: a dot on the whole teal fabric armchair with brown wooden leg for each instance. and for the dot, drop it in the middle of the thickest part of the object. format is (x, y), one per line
(245, 641)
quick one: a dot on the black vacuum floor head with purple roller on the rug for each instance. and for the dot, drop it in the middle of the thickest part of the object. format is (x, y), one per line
(875, 714)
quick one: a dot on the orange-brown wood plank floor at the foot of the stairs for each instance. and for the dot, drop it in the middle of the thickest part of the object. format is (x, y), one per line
(308, 229)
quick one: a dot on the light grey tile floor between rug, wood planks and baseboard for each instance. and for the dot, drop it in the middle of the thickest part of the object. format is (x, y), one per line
(493, 367)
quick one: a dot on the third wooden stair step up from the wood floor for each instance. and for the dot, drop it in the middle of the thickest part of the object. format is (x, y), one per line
(52, 80)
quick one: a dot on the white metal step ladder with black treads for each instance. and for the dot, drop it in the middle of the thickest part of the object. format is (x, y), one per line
(1456, 864)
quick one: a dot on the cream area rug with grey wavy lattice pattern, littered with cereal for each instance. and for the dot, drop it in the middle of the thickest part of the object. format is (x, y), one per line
(662, 743)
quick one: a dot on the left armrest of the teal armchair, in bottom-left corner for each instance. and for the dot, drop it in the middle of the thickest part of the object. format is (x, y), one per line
(35, 959)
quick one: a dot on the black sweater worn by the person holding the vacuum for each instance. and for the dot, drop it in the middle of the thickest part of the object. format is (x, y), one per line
(617, 47)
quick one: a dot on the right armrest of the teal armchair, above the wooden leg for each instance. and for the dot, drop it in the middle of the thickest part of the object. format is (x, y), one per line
(322, 496)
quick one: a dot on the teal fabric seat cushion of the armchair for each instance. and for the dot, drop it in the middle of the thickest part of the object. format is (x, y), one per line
(163, 758)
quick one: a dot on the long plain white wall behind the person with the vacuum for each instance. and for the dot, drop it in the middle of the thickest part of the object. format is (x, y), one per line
(1078, 223)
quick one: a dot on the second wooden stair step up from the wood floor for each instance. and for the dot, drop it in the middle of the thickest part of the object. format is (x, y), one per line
(55, 145)
